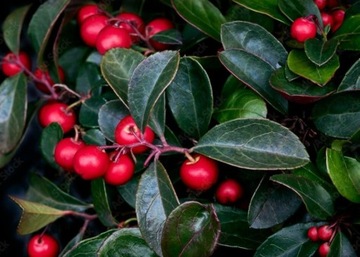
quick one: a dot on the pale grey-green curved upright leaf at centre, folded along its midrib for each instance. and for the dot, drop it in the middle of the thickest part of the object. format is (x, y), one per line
(148, 82)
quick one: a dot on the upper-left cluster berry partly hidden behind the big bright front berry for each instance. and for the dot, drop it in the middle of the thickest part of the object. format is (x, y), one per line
(91, 27)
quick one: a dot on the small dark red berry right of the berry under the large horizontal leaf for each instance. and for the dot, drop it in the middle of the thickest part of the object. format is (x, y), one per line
(229, 191)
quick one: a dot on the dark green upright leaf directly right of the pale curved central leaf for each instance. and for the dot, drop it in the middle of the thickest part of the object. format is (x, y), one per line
(190, 98)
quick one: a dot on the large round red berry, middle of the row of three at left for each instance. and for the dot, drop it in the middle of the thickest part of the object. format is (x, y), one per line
(90, 162)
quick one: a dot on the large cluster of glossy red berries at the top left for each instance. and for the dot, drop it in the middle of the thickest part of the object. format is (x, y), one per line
(103, 31)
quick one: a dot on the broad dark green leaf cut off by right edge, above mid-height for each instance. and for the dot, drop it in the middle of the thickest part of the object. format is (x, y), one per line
(338, 115)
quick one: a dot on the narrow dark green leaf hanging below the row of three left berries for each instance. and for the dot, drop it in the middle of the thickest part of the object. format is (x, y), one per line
(101, 202)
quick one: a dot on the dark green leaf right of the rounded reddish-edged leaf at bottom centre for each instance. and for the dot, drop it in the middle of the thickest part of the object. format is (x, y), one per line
(235, 231)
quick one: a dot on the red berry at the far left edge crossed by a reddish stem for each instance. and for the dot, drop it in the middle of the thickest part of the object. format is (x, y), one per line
(10, 67)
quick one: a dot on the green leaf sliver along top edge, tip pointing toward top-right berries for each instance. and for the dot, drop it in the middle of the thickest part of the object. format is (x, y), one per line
(267, 7)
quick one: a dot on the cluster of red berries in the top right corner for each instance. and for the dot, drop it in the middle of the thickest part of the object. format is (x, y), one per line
(332, 15)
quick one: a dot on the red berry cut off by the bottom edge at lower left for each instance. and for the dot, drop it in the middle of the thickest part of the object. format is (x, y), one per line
(42, 246)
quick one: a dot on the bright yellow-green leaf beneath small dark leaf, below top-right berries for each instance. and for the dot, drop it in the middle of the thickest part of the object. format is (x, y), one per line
(299, 63)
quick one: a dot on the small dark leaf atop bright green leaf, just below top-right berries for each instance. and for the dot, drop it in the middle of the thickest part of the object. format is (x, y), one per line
(320, 52)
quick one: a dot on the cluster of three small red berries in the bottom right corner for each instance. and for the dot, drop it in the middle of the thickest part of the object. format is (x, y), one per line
(323, 234)
